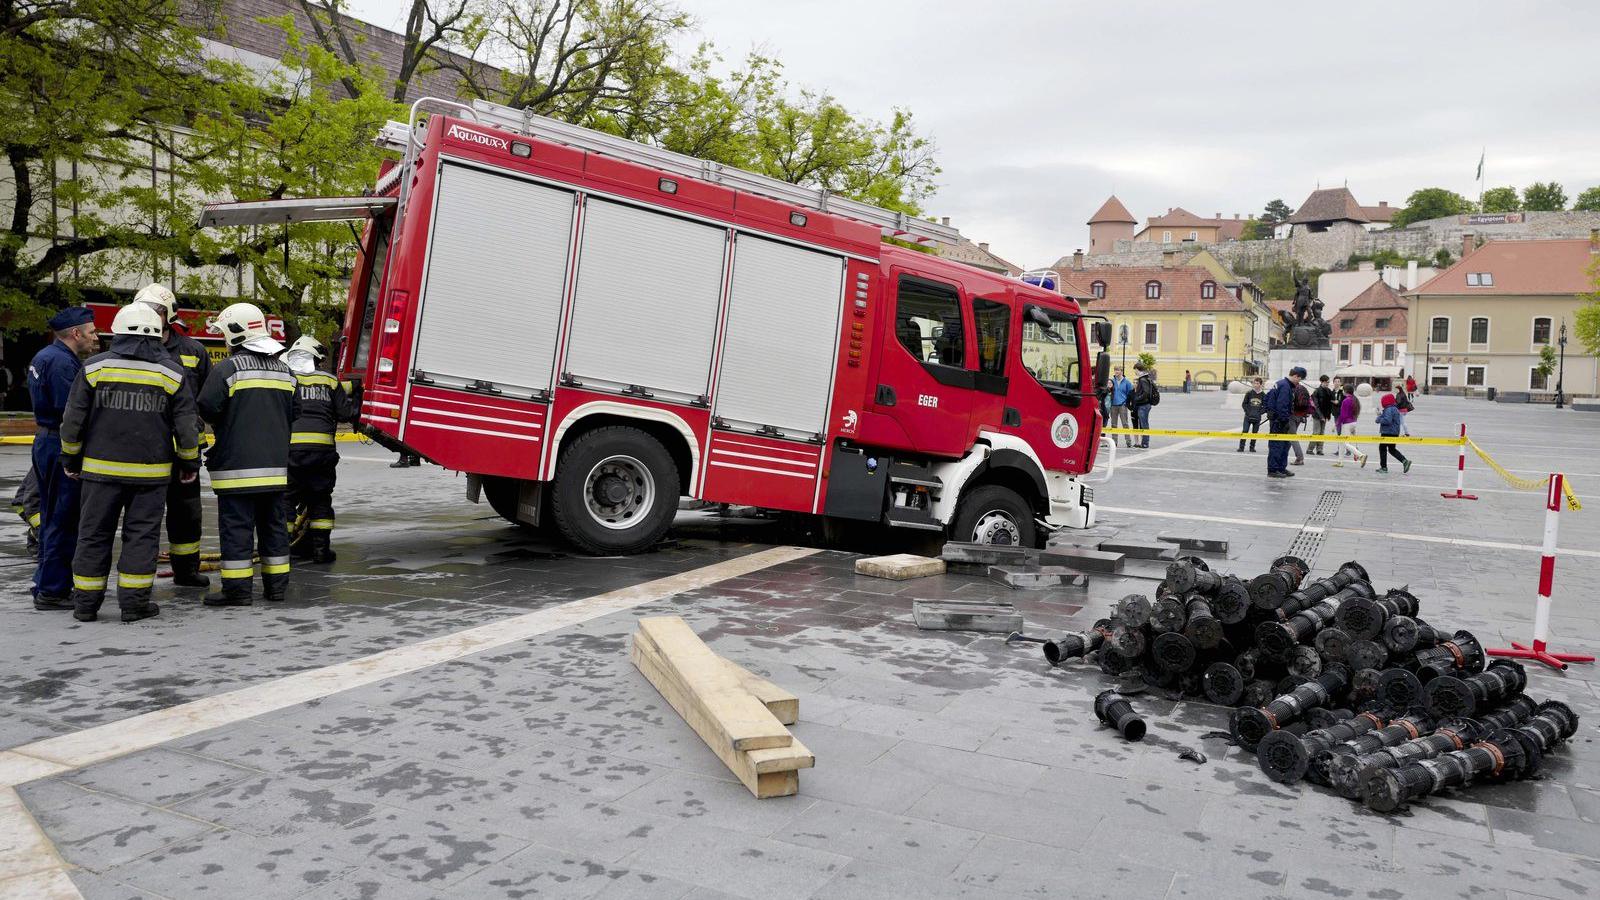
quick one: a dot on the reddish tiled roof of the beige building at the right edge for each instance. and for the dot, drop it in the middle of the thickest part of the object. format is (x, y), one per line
(1519, 268)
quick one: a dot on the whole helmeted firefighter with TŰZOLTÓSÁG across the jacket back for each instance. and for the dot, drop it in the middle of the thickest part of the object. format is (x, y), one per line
(129, 420)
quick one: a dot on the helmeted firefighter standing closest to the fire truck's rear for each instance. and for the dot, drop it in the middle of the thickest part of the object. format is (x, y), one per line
(314, 457)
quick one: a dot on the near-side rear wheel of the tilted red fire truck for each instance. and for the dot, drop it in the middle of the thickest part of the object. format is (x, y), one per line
(617, 491)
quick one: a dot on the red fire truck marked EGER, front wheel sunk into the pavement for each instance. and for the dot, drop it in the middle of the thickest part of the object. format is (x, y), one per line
(593, 329)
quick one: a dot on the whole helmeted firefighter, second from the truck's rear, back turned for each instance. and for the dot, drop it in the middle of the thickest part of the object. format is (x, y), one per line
(250, 403)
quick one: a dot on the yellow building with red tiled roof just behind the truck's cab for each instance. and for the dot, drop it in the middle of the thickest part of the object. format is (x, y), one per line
(1194, 318)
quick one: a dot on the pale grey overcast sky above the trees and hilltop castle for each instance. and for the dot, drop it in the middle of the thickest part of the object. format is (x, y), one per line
(1042, 110)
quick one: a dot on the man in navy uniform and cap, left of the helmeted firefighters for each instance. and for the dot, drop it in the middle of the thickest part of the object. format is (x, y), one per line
(50, 377)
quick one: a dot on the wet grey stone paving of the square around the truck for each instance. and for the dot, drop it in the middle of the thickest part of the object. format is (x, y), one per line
(950, 765)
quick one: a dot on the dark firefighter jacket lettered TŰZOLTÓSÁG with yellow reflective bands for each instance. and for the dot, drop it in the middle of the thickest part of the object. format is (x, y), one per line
(130, 417)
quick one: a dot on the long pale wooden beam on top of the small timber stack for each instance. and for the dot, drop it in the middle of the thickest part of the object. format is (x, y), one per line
(743, 720)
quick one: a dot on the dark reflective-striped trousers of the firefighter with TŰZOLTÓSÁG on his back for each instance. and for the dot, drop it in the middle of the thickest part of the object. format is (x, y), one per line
(102, 507)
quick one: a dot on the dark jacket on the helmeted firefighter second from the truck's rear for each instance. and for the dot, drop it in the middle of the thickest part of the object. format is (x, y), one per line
(250, 403)
